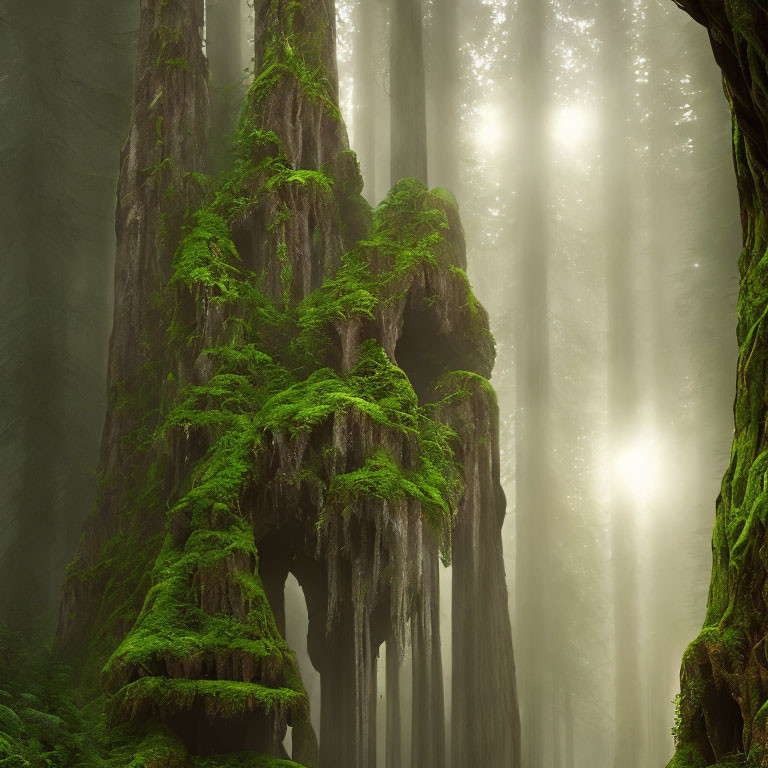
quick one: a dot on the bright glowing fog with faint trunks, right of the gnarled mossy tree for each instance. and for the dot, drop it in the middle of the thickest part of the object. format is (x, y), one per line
(589, 149)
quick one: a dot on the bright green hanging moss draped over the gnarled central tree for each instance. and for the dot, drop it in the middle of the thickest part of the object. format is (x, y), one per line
(283, 309)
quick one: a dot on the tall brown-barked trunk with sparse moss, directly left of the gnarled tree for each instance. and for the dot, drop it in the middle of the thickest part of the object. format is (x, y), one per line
(165, 144)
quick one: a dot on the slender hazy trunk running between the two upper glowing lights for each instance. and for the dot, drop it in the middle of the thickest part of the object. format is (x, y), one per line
(533, 448)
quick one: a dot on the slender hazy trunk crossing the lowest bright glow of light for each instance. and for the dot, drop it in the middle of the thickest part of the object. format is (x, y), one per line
(622, 388)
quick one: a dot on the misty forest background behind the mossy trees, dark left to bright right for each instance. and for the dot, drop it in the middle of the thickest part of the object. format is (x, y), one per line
(588, 146)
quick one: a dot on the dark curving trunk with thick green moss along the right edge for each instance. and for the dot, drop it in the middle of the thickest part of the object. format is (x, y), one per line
(723, 709)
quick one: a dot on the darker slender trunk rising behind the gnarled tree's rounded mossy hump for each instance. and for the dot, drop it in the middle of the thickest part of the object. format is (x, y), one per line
(408, 111)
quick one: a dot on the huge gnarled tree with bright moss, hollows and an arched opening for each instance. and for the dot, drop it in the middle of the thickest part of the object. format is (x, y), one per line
(320, 368)
